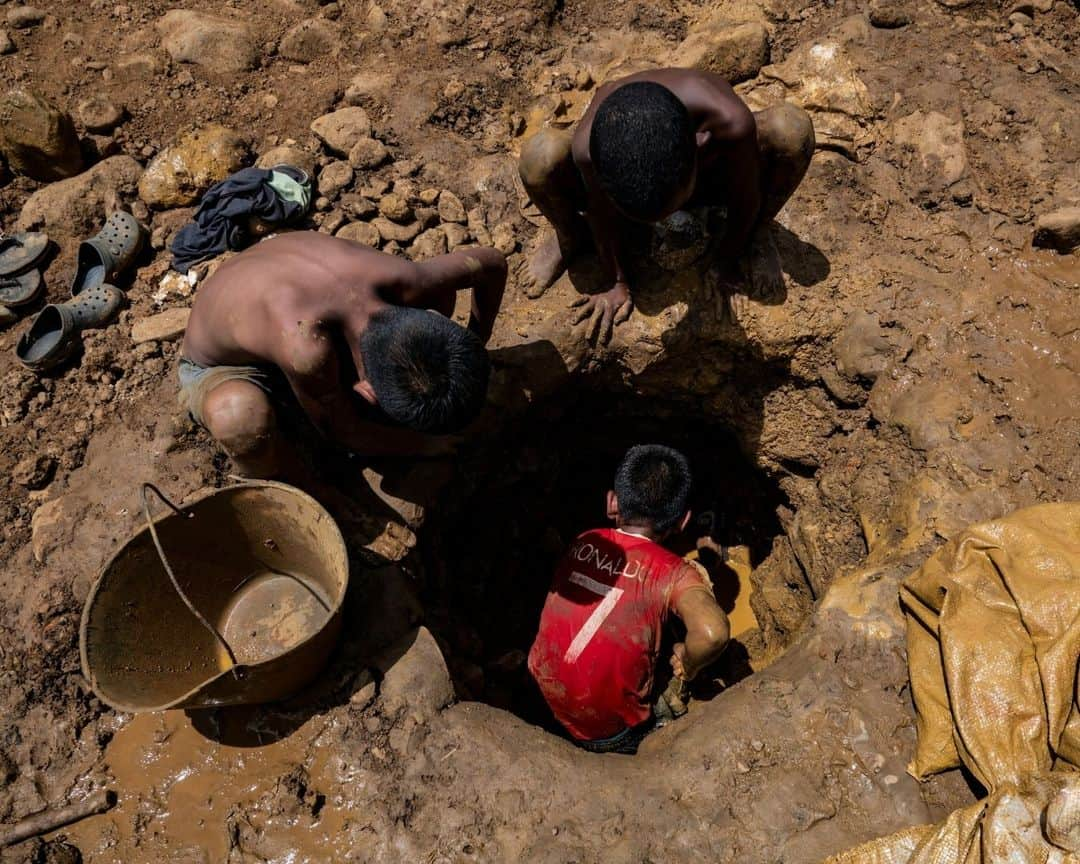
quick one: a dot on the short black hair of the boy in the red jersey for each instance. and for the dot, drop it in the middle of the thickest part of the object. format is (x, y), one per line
(653, 485)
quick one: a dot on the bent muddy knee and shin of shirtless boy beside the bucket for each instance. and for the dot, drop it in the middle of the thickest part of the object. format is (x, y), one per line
(240, 417)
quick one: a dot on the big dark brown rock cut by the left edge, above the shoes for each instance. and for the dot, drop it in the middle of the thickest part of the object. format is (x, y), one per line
(37, 139)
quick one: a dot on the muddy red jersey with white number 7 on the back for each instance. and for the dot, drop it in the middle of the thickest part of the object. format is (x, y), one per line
(600, 633)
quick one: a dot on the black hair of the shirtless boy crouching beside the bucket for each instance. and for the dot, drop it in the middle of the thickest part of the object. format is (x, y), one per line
(428, 373)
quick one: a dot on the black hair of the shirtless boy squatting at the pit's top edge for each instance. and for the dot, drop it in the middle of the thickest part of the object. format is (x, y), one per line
(643, 147)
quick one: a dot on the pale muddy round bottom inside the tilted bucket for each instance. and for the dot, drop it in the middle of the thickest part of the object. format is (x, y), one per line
(272, 613)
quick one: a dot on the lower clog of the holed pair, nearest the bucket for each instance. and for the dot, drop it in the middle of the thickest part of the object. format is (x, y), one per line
(55, 334)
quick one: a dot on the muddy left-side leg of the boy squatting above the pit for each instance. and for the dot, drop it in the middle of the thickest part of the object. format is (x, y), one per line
(551, 179)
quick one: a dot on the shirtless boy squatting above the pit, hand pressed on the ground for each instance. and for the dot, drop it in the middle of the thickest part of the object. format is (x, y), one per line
(652, 144)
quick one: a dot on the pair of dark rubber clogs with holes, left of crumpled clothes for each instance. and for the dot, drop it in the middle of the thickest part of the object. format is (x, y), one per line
(55, 334)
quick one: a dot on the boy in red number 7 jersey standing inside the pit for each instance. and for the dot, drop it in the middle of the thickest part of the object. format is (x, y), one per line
(597, 650)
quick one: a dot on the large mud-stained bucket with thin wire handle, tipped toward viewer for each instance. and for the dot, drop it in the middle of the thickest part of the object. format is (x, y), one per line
(236, 599)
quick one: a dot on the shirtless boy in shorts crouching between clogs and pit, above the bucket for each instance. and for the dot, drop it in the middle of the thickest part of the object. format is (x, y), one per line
(362, 340)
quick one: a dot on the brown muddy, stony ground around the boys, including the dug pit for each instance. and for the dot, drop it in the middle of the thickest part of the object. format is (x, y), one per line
(921, 374)
